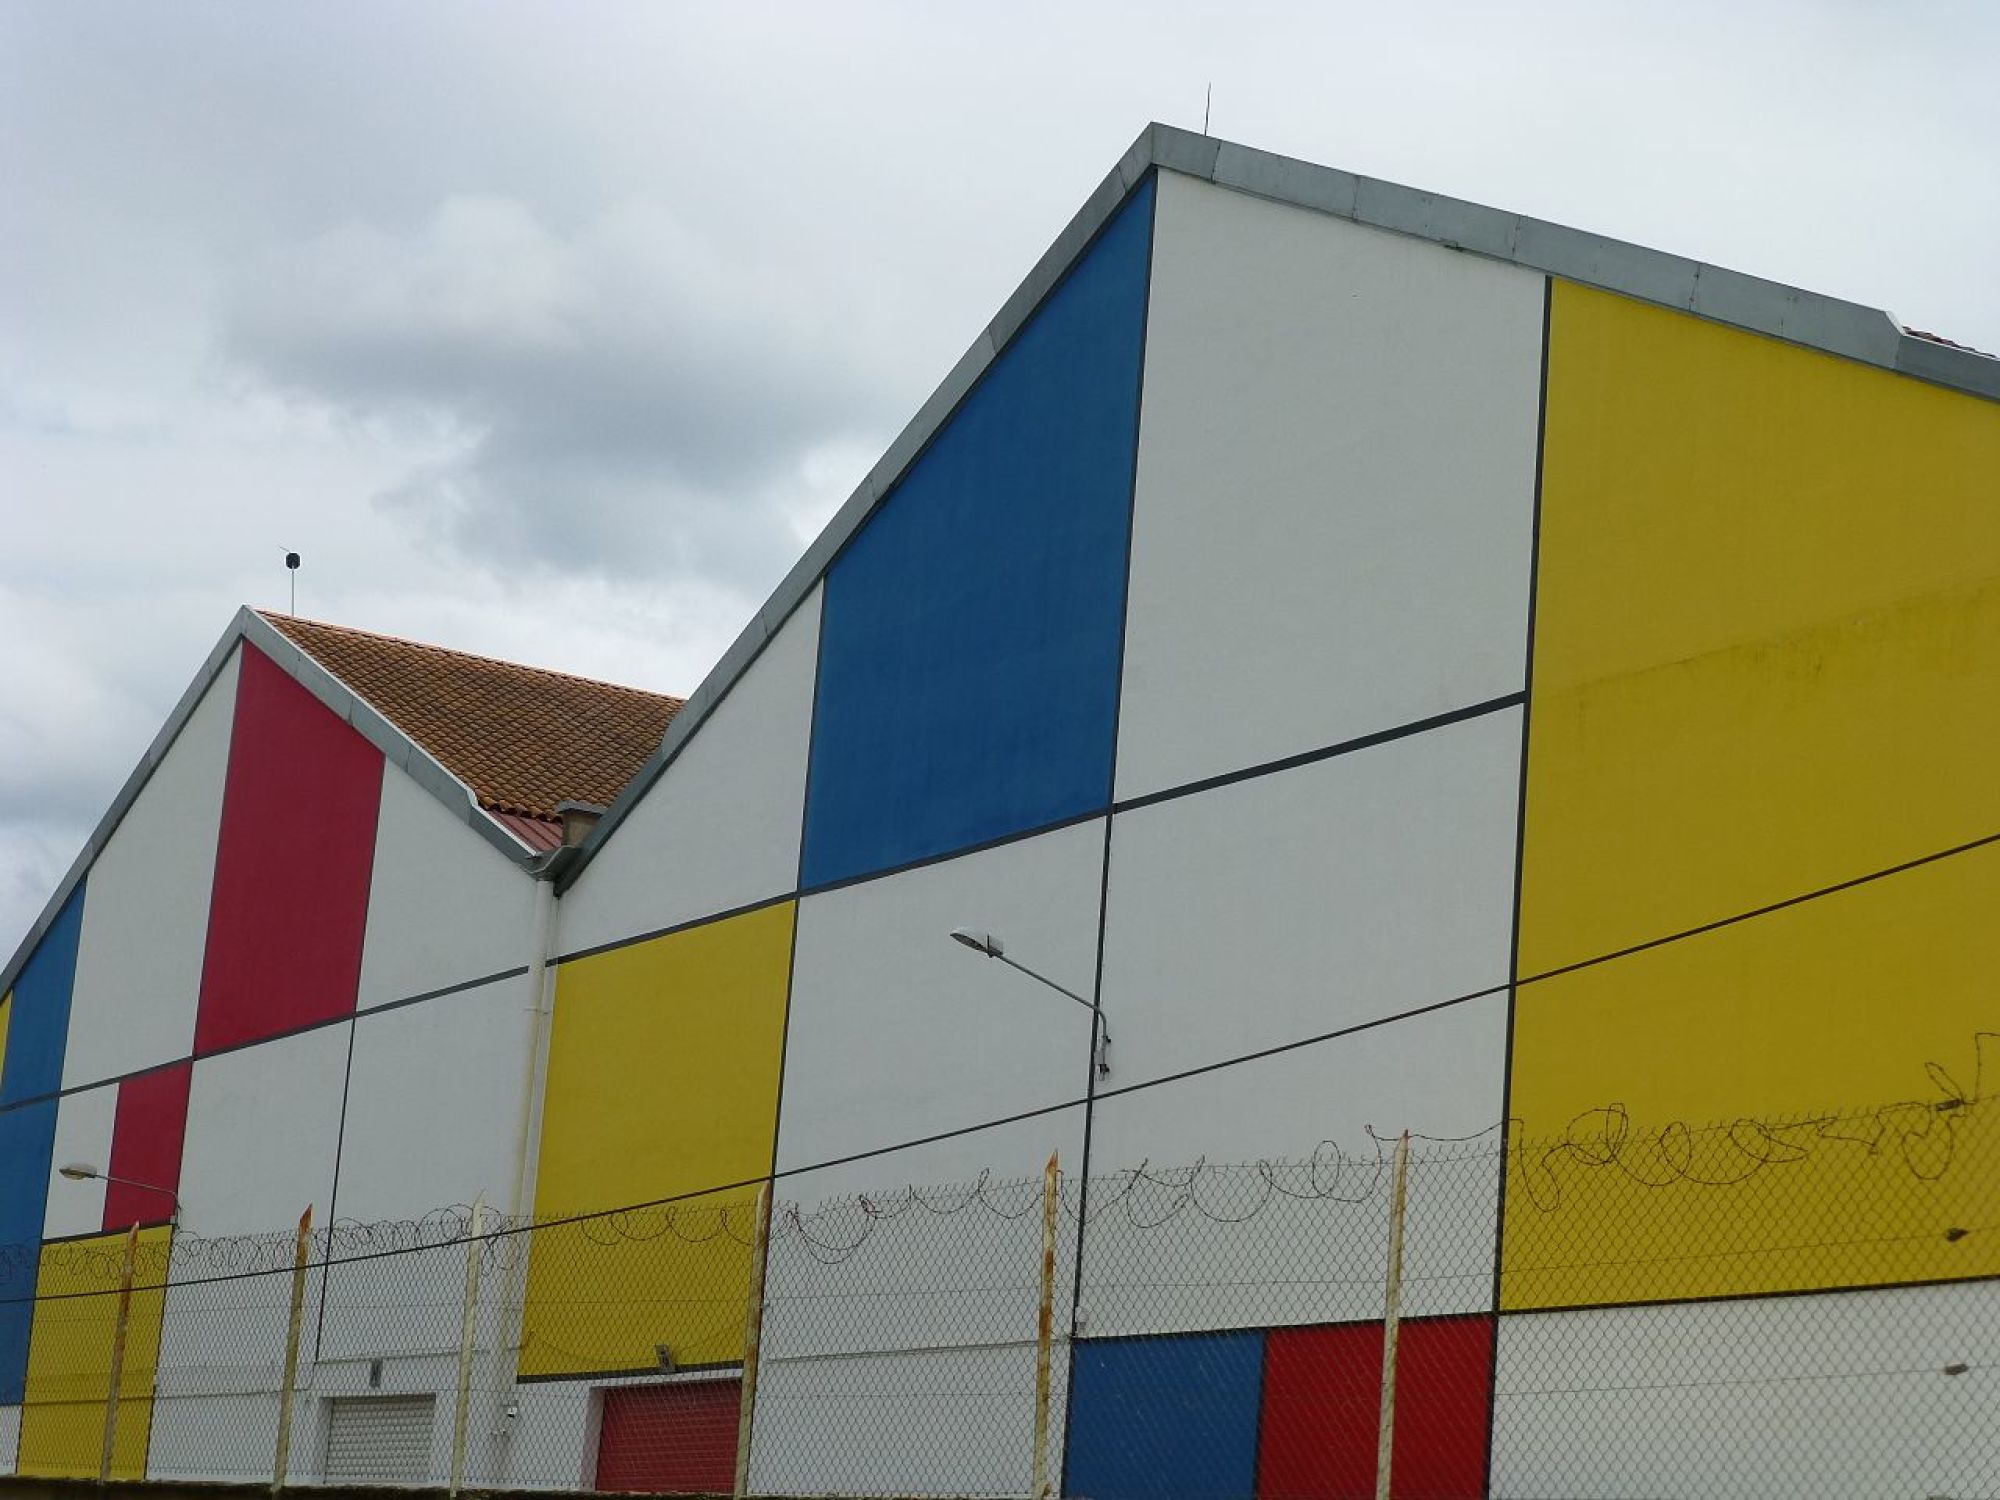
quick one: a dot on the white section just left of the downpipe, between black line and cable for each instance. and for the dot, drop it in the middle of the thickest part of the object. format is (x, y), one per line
(435, 1105)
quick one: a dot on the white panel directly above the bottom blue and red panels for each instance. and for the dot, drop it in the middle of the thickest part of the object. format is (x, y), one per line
(1287, 907)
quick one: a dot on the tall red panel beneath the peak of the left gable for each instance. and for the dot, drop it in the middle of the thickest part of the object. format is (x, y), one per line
(293, 863)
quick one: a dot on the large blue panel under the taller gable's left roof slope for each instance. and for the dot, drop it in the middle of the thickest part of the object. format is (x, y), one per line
(971, 631)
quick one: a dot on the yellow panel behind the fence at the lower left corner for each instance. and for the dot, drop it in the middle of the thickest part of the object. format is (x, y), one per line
(69, 1359)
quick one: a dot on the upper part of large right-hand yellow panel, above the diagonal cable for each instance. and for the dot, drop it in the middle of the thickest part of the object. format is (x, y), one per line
(1767, 611)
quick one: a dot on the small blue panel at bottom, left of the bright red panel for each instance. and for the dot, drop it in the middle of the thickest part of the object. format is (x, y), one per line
(1171, 1415)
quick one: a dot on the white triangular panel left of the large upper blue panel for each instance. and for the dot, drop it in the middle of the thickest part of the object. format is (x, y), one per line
(721, 827)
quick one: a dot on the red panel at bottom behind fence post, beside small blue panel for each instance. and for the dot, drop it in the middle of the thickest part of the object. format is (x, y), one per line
(1323, 1395)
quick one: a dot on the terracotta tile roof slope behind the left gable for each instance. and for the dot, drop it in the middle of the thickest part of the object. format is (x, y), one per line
(521, 737)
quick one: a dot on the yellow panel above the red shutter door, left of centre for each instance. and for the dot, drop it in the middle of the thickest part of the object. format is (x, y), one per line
(663, 1079)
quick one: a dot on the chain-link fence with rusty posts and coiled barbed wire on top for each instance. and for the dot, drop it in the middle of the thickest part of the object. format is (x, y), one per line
(1805, 1307)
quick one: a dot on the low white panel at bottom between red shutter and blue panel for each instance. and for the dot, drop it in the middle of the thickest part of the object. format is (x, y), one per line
(927, 1423)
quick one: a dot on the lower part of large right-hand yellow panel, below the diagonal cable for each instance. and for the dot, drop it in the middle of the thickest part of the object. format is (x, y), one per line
(1793, 1103)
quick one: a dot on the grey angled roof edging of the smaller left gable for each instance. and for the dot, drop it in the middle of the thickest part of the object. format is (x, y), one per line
(397, 747)
